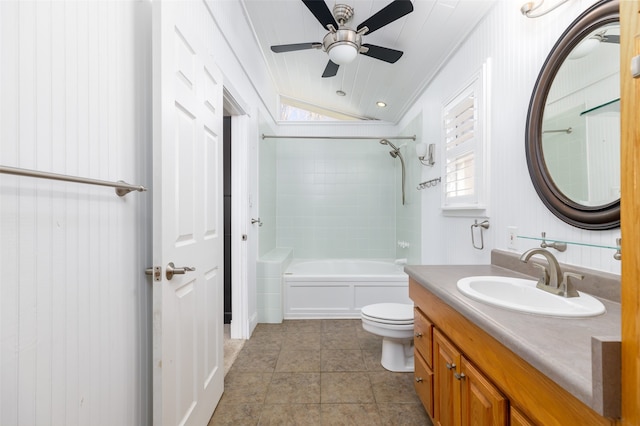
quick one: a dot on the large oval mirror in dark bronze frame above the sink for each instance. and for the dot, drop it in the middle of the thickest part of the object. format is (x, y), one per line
(573, 124)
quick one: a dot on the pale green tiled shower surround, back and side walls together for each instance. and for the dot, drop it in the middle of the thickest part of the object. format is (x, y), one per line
(340, 198)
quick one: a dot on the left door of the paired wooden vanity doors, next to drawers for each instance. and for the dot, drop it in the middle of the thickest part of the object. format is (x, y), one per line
(446, 389)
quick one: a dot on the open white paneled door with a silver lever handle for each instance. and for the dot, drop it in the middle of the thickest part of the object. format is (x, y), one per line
(188, 369)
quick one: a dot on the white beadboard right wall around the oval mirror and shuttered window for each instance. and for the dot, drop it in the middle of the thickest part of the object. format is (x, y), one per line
(517, 47)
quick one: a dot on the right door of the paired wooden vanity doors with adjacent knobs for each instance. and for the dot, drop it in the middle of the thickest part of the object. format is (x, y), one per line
(482, 403)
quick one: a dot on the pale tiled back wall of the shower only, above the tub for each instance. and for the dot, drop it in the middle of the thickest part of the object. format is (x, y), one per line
(336, 198)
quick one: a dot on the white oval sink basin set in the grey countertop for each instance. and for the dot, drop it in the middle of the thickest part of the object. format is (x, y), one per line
(522, 295)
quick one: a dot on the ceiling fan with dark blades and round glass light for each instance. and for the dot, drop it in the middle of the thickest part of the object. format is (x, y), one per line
(342, 43)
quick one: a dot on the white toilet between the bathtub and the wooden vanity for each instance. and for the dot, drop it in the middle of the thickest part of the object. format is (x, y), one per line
(394, 323)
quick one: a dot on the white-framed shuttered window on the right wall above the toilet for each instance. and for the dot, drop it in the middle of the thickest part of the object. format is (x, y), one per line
(464, 120)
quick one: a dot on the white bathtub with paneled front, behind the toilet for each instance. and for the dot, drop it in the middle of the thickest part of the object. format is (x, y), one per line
(339, 288)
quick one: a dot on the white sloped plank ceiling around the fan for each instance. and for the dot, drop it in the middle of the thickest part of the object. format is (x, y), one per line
(427, 36)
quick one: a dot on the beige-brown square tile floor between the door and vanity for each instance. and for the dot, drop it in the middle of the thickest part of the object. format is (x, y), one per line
(316, 372)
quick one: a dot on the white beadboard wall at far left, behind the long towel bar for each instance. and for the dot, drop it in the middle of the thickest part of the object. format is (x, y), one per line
(74, 301)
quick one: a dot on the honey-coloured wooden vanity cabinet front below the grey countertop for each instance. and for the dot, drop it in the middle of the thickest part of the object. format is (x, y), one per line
(466, 377)
